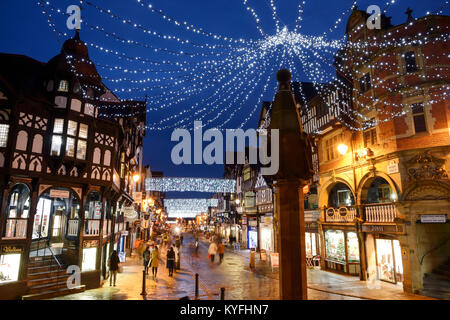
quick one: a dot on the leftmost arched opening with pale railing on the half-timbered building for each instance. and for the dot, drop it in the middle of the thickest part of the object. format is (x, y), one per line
(17, 211)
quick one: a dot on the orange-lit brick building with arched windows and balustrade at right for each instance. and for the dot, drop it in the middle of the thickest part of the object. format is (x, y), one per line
(383, 136)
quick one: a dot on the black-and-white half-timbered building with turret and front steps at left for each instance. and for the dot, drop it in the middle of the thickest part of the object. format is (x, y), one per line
(66, 161)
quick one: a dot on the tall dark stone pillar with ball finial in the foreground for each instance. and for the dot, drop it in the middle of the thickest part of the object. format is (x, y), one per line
(294, 172)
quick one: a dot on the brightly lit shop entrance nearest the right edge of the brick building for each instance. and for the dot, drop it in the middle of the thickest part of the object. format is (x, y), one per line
(389, 260)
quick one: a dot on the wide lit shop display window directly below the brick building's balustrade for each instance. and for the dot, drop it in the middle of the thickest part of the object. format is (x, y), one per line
(342, 251)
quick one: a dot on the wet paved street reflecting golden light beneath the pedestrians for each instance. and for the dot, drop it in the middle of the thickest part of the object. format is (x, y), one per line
(234, 274)
